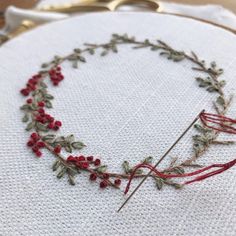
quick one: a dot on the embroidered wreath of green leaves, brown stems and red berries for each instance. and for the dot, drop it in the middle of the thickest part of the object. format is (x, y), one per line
(44, 126)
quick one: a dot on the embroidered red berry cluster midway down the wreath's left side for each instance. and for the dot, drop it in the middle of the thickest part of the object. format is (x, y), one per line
(44, 118)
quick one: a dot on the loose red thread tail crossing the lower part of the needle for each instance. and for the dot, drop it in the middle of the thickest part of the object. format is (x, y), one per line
(222, 168)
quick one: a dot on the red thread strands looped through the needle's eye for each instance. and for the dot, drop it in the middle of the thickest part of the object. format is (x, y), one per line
(220, 121)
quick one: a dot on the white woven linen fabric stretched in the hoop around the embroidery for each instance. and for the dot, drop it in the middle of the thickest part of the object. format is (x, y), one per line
(125, 106)
